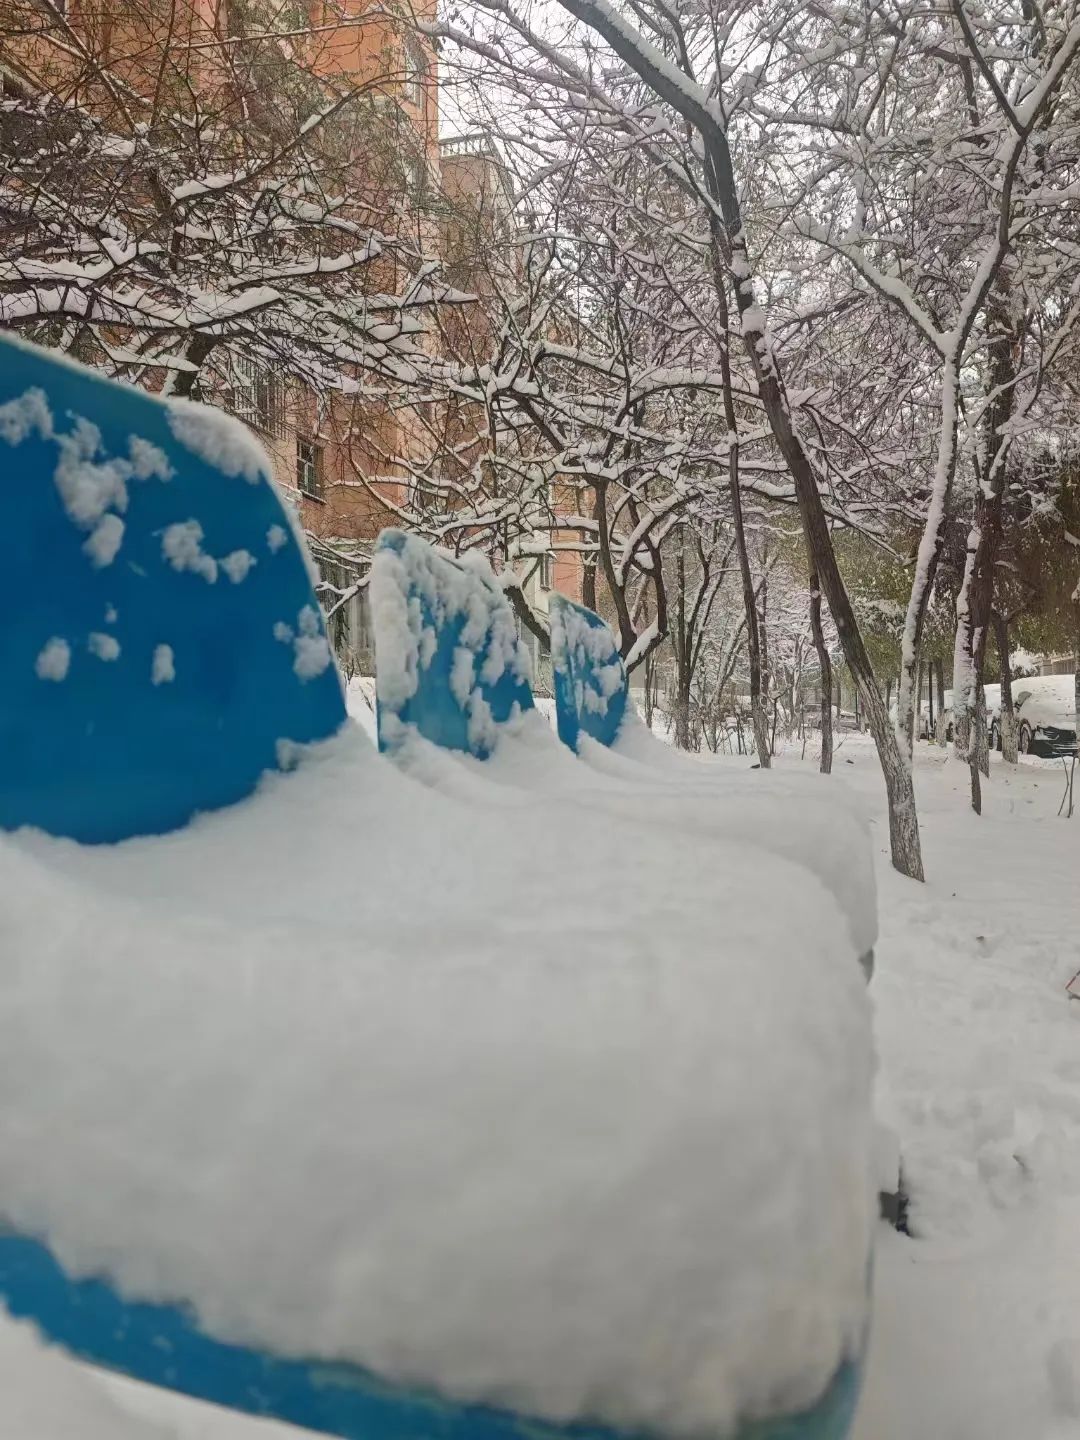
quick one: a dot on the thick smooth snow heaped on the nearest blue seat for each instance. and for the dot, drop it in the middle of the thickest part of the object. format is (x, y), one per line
(535, 1108)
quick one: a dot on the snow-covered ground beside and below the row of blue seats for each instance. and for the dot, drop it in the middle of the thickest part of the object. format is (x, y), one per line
(977, 1323)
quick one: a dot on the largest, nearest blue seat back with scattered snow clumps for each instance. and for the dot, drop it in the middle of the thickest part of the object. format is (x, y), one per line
(159, 634)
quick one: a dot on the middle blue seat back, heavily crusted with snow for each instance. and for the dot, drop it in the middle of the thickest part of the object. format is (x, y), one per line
(449, 659)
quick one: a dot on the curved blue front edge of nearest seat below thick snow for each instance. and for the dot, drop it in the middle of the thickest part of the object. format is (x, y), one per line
(163, 1346)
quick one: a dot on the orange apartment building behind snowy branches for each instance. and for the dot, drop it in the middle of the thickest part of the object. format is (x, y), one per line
(352, 459)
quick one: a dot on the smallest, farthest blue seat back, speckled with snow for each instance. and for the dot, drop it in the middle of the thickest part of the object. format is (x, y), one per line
(591, 685)
